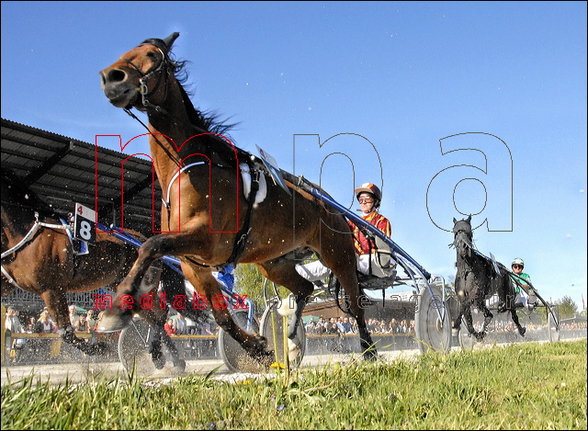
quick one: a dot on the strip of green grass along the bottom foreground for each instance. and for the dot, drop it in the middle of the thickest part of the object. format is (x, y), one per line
(524, 386)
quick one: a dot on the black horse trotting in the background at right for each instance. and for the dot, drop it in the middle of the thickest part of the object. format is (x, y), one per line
(478, 278)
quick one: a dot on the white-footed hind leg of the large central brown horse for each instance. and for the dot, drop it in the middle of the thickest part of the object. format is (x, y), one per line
(283, 272)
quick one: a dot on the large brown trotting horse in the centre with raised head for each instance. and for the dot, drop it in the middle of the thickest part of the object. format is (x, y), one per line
(206, 206)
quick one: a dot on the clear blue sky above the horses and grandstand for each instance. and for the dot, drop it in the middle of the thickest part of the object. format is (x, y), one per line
(394, 77)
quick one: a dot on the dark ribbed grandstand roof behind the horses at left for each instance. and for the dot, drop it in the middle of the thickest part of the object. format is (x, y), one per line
(61, 170)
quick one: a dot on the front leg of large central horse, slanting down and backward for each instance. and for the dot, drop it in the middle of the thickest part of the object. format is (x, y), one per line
(206, 284)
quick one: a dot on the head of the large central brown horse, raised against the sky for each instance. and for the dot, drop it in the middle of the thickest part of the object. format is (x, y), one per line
(139, 79)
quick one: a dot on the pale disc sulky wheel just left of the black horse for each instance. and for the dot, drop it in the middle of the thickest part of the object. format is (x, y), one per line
(432, 322)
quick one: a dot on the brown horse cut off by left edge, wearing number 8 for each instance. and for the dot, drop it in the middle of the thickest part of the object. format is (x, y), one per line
(43, 262)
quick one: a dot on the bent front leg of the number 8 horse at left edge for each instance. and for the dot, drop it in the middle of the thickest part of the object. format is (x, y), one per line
(56, 303)
